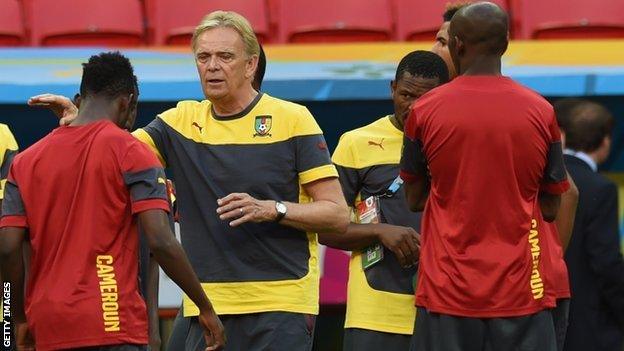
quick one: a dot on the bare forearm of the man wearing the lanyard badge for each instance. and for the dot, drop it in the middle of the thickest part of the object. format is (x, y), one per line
(357, 237)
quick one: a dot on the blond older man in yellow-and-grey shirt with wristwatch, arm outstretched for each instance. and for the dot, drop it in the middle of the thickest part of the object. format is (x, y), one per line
(255, 182)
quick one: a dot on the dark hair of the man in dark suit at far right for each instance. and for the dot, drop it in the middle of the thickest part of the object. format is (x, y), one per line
(584, 122)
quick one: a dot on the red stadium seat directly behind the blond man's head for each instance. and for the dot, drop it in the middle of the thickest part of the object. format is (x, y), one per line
(171, 22)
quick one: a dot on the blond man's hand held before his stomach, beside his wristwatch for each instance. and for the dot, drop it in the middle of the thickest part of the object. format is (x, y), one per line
(242, 208)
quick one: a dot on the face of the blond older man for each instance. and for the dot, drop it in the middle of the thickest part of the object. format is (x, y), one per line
(224, 67)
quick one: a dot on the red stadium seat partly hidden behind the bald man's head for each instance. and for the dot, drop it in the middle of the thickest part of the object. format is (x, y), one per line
(419, 20)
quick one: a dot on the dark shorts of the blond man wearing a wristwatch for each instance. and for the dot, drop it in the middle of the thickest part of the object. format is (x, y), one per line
(256, 331)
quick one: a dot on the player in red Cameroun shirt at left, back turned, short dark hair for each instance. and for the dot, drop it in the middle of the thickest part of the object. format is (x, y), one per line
(78, 194)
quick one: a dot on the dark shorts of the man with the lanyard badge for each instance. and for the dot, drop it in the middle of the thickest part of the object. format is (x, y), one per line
(364, 340)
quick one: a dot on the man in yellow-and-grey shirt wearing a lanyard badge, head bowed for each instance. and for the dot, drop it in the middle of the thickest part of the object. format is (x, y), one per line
(380, 299)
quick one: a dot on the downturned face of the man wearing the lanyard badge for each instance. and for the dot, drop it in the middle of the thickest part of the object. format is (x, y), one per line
(407, 89)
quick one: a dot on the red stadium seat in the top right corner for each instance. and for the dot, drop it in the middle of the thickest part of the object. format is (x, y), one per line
(572, 19)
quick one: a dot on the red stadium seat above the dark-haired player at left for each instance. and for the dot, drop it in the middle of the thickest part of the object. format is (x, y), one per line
(86, 22)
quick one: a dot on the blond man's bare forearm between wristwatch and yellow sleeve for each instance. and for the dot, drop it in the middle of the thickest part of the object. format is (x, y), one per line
(318, 216)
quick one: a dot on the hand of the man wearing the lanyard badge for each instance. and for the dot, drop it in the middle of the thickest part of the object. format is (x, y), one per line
(404, 242)
